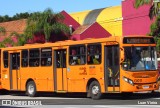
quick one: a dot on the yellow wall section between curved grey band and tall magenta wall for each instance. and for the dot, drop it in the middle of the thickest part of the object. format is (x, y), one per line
(109, 19)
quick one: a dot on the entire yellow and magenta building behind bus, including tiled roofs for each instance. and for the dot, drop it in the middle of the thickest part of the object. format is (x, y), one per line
(110, 21)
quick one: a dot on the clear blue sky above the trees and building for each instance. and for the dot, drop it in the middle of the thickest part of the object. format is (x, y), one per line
(11, 7)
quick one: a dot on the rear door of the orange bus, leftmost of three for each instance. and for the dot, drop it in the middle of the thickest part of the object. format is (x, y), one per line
(14, 71)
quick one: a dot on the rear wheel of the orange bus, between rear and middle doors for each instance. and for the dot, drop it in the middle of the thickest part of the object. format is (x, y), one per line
(31, 89)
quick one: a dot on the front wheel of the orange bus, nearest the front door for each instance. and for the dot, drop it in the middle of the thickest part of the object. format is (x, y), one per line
(95, 90)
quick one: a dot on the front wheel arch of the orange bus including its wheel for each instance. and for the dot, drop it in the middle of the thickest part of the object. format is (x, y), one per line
(93, 89)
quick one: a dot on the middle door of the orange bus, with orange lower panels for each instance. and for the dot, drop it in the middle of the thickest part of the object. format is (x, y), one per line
(60, 70)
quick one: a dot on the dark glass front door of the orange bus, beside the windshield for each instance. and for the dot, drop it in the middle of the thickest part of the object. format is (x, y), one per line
(112, 68)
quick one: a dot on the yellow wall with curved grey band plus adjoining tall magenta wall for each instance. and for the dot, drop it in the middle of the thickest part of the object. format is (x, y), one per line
(118, 20)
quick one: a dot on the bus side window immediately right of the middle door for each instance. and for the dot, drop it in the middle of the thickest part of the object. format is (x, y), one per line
(77, 55)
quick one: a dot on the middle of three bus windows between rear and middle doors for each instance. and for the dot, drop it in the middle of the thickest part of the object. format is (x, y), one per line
(34, 57)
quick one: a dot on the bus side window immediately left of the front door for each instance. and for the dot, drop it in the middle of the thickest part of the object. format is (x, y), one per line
(94, 54)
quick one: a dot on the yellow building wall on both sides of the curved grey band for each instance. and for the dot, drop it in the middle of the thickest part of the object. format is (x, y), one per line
(110, 18)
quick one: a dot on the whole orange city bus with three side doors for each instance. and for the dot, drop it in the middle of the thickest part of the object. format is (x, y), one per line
(94, 66)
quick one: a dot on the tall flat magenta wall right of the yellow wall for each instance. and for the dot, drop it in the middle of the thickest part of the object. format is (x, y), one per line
(135, 21)
